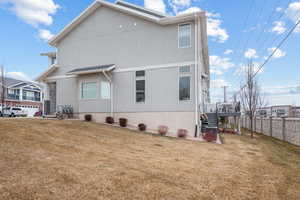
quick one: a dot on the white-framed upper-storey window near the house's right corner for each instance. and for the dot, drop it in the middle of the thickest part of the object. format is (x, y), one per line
(184, 35)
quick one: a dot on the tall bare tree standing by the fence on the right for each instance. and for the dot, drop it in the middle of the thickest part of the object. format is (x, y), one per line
(251, 97)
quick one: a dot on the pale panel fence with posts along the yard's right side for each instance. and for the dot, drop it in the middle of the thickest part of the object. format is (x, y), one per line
(286, 129)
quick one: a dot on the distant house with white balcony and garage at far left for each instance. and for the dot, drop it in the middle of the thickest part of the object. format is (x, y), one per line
(23, 94)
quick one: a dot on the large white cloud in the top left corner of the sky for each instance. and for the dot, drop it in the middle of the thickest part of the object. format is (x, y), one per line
(33, 12)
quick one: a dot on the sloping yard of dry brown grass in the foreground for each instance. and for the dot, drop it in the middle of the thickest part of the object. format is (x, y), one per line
(49, 159)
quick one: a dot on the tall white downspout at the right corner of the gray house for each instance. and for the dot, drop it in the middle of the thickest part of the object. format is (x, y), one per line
(196, 77)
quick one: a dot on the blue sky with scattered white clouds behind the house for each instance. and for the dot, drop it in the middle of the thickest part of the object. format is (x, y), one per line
(26, 25)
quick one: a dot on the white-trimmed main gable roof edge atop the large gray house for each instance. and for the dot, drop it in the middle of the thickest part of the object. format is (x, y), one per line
(128, 8)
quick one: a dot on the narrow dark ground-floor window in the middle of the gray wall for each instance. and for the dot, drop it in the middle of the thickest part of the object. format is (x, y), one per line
(140, 86)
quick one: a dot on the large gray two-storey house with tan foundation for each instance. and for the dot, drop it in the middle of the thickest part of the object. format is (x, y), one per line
(127, 61)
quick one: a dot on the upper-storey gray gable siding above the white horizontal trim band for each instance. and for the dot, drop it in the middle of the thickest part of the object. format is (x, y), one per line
(100, 40)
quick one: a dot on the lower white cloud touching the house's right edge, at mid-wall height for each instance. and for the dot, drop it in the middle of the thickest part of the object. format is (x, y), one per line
(219, 65)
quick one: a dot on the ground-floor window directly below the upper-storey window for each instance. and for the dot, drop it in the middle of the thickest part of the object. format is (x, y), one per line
(184, 83)
